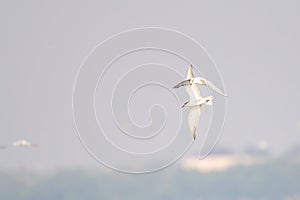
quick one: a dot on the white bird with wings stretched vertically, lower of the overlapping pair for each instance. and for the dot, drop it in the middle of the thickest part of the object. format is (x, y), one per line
(196, 102)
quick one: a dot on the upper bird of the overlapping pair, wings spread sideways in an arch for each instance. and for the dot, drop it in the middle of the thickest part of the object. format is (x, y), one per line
(201, 81)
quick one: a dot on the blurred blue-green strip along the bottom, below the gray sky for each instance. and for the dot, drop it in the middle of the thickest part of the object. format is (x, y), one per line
(277, 179)
